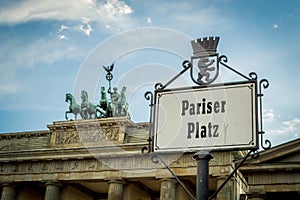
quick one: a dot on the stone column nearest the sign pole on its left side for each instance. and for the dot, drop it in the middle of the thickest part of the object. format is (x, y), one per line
(167, 189)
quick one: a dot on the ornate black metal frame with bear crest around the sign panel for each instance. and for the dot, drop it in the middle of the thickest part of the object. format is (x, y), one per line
(209, 63)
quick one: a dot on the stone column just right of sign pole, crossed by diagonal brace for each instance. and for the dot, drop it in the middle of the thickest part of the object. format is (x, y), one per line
(228, 191)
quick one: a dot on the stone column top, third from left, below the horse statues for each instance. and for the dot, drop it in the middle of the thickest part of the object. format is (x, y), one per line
(115, 189)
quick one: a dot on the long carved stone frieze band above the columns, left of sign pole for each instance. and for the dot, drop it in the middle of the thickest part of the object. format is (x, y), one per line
(86, 165)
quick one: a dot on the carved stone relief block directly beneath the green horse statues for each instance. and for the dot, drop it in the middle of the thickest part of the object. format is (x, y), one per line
(93, 132)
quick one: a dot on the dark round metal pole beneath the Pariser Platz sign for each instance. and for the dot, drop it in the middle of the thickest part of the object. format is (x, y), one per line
(202, 158)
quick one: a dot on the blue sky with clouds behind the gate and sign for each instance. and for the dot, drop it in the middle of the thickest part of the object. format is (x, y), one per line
(46, 46)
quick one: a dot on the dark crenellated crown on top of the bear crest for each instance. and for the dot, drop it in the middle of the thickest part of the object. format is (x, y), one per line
(205, 46)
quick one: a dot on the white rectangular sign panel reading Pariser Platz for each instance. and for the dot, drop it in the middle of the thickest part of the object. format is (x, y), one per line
(206, 118)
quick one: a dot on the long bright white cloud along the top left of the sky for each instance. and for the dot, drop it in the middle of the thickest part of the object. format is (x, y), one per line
(111, 11)
